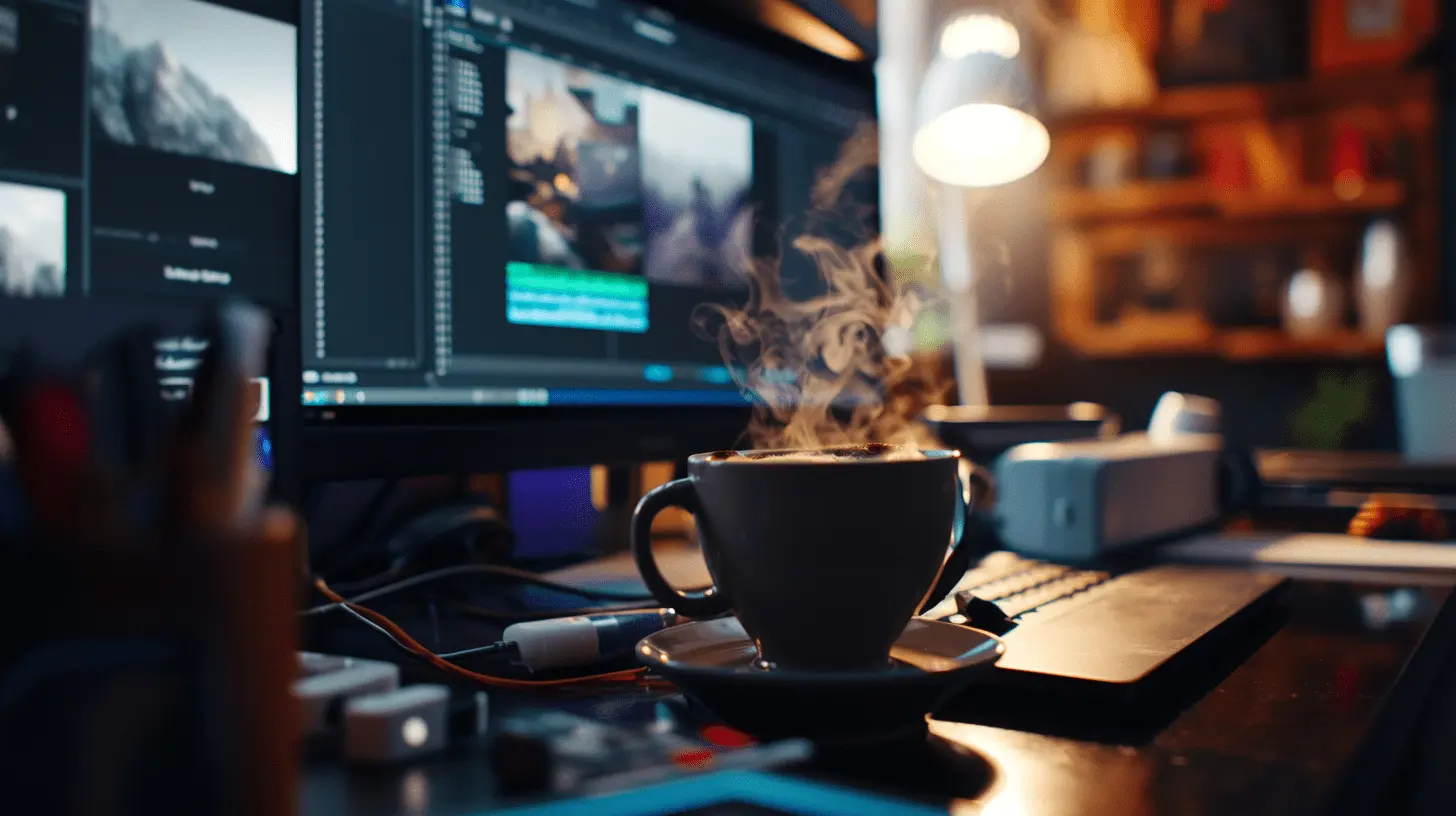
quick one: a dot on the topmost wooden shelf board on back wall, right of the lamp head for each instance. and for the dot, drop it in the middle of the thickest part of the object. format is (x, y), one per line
(1260, 101)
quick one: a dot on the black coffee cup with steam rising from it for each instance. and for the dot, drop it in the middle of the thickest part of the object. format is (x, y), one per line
(823, 556)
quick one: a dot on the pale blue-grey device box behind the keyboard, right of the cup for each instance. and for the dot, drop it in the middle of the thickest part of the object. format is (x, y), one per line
(1080, 501)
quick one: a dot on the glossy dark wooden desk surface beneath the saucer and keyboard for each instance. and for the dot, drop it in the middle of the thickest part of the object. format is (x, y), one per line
(1314, 718)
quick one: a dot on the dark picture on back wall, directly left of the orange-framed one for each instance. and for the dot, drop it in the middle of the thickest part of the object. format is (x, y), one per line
(1221, 42)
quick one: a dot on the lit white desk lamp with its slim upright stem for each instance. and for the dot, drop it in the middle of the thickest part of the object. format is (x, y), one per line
(975, 130)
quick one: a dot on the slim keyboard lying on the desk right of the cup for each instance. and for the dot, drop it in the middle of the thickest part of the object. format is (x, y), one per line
(1101, 632)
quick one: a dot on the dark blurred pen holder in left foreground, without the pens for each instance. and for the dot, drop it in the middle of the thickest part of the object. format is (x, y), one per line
(162, 672)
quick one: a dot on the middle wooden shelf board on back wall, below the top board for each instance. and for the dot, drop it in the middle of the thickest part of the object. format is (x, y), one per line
(1160, 200)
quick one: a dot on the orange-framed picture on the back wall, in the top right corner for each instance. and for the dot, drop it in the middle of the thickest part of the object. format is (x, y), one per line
(1355, 36)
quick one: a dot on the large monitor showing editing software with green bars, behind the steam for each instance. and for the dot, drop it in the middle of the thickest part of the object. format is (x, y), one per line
(512, 211)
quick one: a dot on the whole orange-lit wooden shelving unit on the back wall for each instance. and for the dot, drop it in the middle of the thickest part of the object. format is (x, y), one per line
(1100, 228)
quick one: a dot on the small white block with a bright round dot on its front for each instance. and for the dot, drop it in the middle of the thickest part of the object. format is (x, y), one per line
(397, 725)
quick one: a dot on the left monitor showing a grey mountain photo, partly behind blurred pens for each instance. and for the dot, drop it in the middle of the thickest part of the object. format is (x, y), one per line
(148, 168)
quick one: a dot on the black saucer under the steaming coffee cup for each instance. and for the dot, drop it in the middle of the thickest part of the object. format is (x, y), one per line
(714, 664)
